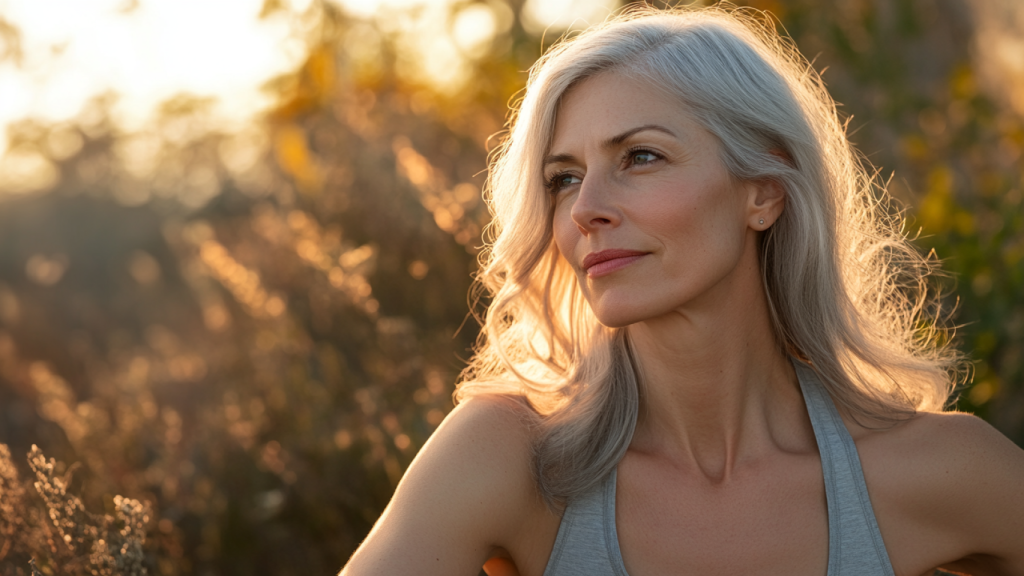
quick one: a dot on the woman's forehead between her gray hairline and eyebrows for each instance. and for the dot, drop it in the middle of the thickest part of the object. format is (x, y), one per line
(611, 103)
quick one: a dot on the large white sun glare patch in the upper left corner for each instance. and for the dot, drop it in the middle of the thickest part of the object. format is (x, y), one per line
(145, 53)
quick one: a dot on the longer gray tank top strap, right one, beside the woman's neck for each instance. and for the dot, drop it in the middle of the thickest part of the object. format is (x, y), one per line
(856, 545)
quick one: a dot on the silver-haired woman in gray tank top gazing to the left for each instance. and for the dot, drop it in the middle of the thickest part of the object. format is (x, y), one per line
(709, 349)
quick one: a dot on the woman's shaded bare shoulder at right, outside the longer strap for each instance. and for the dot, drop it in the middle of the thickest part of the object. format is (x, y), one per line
(951, 480)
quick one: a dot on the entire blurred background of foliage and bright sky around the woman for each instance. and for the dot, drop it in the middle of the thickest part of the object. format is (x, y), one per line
(237, 239)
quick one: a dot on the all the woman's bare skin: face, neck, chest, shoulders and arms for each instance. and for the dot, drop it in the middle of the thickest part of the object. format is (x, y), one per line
(723, 475)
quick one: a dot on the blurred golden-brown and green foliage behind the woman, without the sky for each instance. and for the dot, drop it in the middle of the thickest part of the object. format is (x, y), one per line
(255, 333)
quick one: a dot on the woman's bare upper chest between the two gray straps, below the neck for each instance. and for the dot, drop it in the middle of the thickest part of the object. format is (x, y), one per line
(766, 520)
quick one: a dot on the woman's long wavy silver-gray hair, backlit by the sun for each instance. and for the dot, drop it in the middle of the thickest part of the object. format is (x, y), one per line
(847, 291)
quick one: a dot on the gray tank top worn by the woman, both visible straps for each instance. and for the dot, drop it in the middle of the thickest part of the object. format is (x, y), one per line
(588, 545)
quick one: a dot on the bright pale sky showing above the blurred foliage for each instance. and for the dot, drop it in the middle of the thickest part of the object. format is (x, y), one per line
(148, 52)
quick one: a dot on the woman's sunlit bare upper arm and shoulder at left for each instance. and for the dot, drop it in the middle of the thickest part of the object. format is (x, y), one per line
(465, 493)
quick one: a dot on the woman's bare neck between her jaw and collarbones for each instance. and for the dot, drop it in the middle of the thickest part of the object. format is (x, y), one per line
(718, 390)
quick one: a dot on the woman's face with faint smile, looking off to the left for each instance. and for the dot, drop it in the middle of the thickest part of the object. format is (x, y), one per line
(646, 213)
